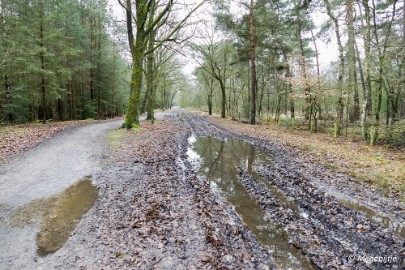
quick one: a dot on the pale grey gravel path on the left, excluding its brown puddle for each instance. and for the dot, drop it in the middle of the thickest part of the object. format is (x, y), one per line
(44, 171)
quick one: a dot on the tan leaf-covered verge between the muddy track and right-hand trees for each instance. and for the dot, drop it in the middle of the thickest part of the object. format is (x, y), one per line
(383, 168)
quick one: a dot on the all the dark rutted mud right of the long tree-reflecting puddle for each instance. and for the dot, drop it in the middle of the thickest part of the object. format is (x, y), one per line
(327, 229)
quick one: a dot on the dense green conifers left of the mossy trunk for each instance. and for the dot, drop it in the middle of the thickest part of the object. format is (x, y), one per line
(58, 61)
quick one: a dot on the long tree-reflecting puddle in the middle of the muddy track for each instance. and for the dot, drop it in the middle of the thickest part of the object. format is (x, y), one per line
(219, 161)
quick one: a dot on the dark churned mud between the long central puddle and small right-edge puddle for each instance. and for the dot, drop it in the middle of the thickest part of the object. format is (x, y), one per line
(326, 231)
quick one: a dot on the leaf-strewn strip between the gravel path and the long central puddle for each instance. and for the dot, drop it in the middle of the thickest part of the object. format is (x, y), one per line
(154, 212)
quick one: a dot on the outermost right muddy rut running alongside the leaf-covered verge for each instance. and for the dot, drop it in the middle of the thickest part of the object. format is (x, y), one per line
(341, 186)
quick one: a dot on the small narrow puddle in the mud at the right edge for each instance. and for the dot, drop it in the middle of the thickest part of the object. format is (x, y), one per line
(384, 221)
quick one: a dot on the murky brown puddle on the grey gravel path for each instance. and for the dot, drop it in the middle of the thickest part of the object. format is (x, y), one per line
(57, 216)
